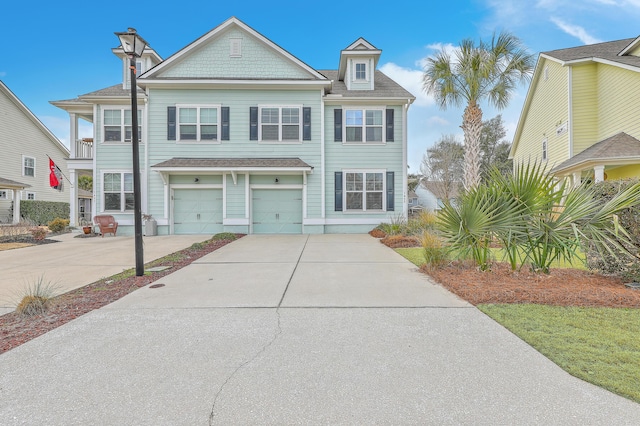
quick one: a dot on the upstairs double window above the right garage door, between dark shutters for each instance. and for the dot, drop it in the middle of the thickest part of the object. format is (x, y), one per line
(280, 124)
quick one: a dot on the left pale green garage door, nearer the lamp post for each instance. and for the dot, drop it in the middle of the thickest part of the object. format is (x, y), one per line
(197, 211)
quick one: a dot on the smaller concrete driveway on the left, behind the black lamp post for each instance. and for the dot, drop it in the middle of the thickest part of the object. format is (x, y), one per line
(75, 262)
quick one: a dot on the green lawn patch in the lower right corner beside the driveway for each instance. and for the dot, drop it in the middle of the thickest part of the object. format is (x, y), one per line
(598, 345)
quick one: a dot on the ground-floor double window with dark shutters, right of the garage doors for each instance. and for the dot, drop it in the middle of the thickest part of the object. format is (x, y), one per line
(364, 191)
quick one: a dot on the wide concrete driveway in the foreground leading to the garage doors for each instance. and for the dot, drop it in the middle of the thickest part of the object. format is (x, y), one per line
(327, 329)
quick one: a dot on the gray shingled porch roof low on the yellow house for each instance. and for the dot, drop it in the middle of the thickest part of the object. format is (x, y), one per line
(619, 146)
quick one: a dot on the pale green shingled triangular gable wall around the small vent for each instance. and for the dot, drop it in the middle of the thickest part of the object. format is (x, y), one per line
(254, 62)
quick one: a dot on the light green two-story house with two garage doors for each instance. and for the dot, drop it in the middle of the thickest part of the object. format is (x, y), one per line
(238, 135)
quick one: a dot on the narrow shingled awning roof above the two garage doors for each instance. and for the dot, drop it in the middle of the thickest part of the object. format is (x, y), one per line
(232, 163)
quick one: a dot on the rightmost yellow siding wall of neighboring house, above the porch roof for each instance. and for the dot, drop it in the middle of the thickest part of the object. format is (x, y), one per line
(619, 95)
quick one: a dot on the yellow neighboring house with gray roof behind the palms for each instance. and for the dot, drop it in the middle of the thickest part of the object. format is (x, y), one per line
(581, 116)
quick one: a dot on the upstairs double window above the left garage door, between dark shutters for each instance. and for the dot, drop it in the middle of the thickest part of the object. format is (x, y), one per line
(198, 123)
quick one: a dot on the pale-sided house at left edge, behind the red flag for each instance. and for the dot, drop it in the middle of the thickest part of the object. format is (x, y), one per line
(27, 145)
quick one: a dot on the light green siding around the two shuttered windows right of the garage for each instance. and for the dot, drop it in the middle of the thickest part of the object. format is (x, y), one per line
(340, 156)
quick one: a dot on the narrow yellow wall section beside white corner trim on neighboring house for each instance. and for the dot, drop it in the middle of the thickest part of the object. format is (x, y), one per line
(584, 123)
